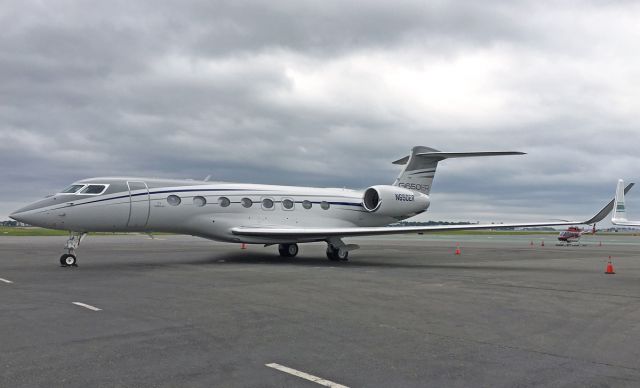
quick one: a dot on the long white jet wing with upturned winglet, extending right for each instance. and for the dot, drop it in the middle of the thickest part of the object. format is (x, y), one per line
(322, 233)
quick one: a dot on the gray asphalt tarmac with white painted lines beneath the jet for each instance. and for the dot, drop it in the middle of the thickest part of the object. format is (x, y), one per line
(403, 312)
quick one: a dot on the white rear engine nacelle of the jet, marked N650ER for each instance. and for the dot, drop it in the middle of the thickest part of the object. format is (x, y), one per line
(394, 201)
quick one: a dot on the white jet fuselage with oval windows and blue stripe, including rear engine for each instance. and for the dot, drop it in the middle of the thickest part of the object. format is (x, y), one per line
(211, 209)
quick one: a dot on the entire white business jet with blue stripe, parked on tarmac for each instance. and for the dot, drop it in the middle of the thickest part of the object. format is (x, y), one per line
(250, 213)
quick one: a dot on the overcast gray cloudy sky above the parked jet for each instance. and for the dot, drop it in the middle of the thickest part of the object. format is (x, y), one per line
(327, 93)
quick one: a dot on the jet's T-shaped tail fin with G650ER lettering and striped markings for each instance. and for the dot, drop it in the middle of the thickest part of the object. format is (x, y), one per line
(420, 166)
